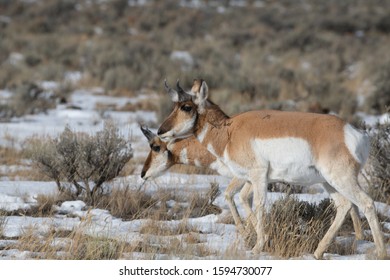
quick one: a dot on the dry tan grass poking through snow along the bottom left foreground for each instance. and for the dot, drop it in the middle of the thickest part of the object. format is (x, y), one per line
(182, 241)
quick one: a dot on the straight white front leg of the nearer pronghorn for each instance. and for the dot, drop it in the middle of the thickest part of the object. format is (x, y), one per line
(259, 182)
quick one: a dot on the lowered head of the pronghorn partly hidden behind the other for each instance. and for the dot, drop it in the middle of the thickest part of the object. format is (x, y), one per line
(159, 158)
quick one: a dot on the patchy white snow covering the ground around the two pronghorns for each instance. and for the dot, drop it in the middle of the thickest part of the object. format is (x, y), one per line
(219, 238)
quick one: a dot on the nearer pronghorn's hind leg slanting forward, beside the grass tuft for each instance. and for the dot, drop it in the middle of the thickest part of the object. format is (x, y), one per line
(342, 207)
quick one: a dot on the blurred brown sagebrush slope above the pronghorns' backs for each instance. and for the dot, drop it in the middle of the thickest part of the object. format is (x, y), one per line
(320, 55)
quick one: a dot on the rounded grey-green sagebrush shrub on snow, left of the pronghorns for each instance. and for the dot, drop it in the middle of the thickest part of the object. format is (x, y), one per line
(83, 161)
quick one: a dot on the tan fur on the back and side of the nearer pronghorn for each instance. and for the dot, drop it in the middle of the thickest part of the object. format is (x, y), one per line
(322, 132)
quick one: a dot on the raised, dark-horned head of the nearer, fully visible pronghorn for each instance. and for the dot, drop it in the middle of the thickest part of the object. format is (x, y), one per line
(188, 106)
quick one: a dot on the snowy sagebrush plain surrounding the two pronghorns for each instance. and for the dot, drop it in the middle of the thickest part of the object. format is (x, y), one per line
(77, 77)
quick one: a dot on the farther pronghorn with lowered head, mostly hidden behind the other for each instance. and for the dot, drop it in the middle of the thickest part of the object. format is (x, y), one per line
(189, 151)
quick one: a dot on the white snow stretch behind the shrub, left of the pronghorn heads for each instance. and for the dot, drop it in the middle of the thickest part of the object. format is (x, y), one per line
(86, 119)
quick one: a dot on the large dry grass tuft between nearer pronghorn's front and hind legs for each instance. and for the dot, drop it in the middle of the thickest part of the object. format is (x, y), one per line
(294, 228)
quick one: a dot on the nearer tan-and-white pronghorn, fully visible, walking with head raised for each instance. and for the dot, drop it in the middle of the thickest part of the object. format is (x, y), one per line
(268, 146)
